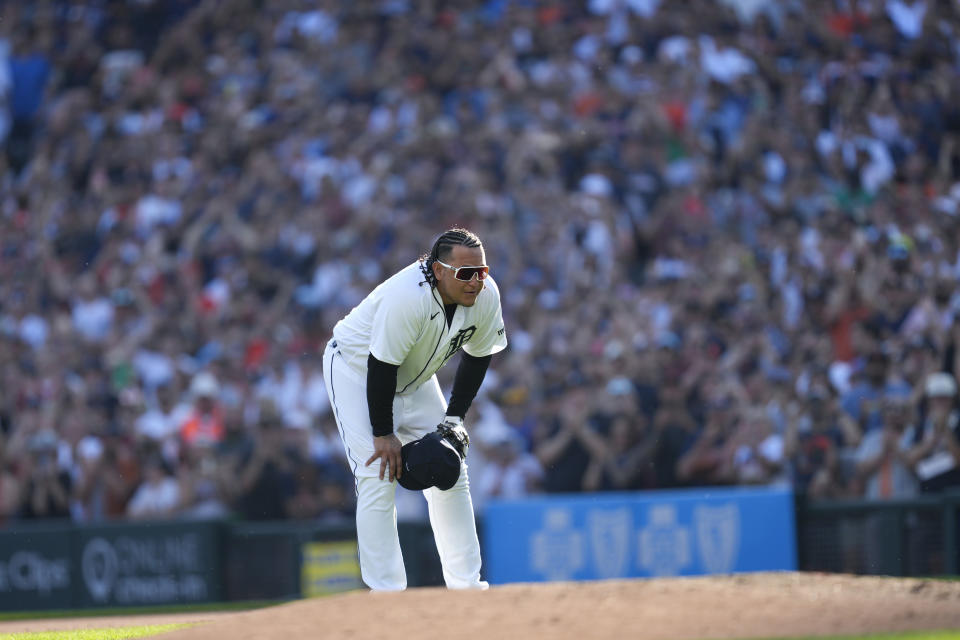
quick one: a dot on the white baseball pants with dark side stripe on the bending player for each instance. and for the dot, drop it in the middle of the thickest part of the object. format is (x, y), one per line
(451, 512)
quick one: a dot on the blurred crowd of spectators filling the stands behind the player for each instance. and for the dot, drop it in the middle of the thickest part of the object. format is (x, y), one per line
(725, 231)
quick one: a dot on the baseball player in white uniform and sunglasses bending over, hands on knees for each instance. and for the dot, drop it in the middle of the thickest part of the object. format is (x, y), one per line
(379, 371)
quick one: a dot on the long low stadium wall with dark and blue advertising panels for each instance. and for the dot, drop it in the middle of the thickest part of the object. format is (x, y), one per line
(61, 565)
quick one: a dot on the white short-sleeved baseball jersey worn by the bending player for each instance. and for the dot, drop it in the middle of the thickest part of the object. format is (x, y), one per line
(403, 322)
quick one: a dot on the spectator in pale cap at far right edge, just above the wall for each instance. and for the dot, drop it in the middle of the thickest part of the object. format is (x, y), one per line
(935, 458)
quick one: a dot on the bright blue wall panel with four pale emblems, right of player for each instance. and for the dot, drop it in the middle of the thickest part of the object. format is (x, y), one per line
(644, 534)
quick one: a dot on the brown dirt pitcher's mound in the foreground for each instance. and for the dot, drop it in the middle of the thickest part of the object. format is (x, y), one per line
(738, 606)
